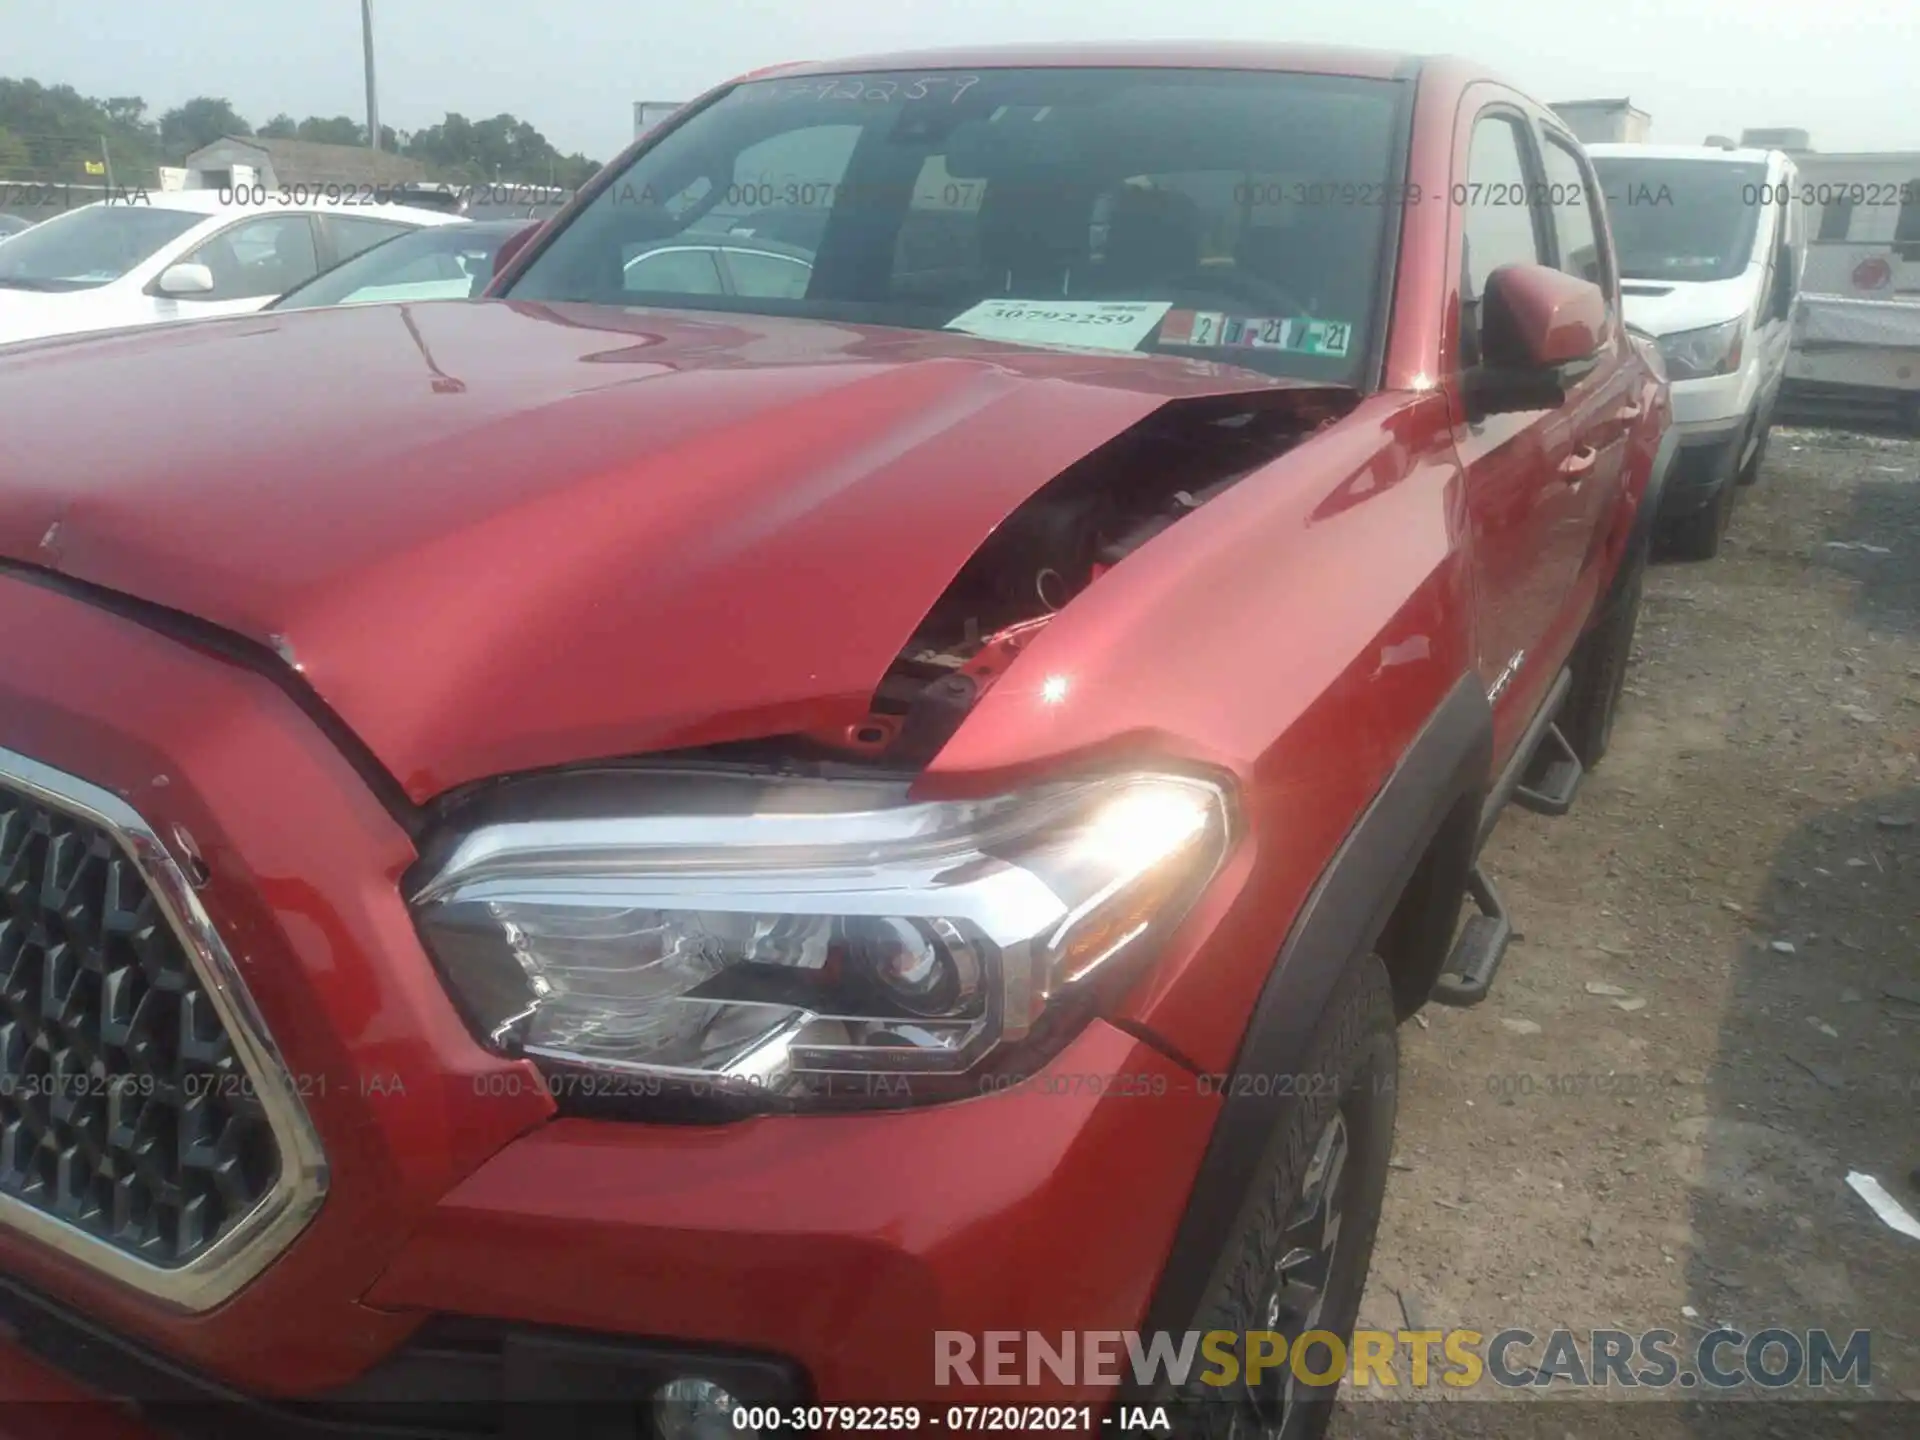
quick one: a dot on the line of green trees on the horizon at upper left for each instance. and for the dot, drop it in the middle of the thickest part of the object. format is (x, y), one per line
(55, 133)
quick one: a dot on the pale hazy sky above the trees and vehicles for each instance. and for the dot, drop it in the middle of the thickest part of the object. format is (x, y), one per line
(1844, 70)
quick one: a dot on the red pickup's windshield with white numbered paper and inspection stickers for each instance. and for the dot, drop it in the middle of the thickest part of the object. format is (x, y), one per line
(1212, 214)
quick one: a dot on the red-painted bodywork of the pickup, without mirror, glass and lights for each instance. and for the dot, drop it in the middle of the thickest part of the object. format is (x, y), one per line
(635, 531)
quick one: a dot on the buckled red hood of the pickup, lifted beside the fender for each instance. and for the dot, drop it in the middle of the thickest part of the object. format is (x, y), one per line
(500, 537)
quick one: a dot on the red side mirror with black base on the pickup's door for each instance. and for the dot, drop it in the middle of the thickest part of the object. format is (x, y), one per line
(1535, 324)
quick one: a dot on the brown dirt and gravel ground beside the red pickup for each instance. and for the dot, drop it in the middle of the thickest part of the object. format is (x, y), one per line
(1742, 882)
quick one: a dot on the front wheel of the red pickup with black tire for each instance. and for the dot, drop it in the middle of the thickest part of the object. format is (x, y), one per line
(1299, 1257)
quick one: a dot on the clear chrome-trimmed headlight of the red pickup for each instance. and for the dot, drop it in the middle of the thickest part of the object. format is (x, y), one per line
(805, 942)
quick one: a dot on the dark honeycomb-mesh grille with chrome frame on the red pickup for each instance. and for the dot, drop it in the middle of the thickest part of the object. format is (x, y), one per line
(145, 1120)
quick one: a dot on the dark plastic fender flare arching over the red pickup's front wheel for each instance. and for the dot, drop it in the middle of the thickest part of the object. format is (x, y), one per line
(1341, 921)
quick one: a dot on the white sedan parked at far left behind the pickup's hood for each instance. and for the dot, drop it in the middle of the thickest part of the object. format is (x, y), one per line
(178, 258)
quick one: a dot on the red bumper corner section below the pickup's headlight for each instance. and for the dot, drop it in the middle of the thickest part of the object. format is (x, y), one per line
(840, 1241)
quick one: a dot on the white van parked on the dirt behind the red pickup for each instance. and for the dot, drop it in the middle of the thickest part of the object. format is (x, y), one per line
(1712, 245)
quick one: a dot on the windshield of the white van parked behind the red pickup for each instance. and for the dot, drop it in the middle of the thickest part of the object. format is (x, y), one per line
(1681, 220)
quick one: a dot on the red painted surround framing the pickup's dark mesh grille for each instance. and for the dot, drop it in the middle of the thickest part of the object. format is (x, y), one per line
(304, 890)
